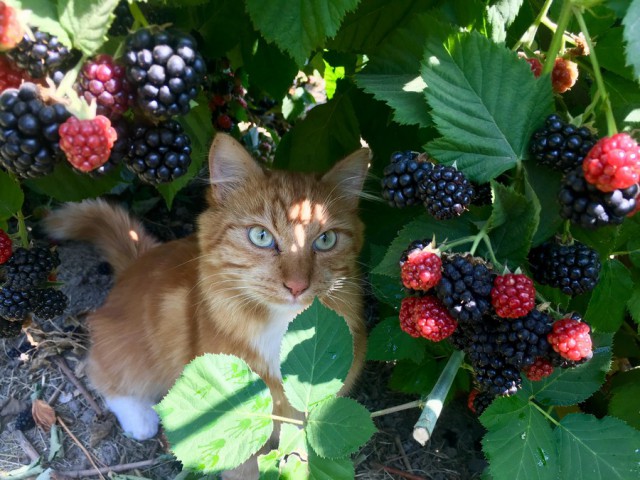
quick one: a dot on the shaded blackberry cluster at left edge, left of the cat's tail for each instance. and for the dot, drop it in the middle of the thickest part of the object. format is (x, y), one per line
(24, 288)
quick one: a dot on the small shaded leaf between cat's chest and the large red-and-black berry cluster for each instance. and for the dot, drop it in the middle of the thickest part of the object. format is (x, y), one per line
(387, 342)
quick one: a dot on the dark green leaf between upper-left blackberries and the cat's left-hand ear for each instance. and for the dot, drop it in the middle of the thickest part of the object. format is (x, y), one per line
(197, 125)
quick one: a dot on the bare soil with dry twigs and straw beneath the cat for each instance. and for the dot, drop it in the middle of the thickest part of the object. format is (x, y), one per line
(32, 366)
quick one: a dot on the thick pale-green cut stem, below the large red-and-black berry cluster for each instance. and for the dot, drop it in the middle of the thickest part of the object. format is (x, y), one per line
(423, 428)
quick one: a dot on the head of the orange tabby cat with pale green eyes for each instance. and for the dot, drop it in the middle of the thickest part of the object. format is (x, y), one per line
(280, 238)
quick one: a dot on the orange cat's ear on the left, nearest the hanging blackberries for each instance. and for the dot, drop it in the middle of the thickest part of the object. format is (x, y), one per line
(230, 165)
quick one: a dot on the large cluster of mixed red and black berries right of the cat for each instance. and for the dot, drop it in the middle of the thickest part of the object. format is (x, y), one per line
(492, 318)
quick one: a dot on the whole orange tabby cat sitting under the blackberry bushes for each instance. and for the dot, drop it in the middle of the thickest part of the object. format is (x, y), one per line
(269, 242)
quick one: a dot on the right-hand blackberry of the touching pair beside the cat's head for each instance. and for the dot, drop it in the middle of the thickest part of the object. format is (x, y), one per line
(445, 192)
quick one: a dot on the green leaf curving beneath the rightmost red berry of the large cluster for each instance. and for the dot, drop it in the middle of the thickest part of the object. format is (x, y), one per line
(568, 386)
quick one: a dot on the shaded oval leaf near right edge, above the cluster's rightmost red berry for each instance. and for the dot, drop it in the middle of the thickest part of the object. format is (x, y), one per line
(606, 309)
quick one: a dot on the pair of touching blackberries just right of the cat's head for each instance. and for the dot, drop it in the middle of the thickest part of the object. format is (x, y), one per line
(410, 178)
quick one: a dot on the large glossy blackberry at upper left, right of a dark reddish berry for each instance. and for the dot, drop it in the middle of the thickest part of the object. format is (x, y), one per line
(165, 69)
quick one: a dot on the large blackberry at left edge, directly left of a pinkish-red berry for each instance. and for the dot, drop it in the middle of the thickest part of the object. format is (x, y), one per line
(29, 139)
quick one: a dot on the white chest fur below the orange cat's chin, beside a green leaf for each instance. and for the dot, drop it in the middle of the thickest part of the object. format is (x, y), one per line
(270, 339)
